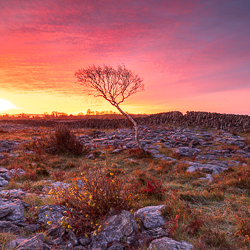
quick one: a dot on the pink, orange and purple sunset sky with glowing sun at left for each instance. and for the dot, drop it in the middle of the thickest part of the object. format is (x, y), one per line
(194, 55)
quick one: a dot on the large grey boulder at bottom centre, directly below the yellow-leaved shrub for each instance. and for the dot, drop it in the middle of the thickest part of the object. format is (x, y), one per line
(117, 228)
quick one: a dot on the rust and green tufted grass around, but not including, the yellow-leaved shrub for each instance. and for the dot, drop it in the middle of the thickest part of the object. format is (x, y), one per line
(210, 215)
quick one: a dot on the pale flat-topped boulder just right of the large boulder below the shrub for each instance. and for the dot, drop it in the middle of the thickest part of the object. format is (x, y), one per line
(151, 216)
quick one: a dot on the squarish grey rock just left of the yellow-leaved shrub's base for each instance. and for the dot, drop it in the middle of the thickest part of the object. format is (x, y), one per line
(52, 213)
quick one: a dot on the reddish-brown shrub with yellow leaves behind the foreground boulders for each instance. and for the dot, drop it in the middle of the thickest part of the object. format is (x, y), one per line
(98, 194)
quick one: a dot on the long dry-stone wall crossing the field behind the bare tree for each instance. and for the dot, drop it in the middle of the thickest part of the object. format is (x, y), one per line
(229, 122)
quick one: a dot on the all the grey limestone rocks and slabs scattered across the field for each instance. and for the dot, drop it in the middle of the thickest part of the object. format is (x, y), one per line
(120, 231)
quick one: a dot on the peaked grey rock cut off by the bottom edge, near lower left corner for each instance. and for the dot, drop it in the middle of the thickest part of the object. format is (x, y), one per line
(34, 242)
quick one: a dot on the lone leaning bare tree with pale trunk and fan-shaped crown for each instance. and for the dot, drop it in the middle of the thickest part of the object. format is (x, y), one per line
(114, 85)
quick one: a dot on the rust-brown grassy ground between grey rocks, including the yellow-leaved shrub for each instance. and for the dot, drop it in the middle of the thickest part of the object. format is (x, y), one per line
(208, 215)
